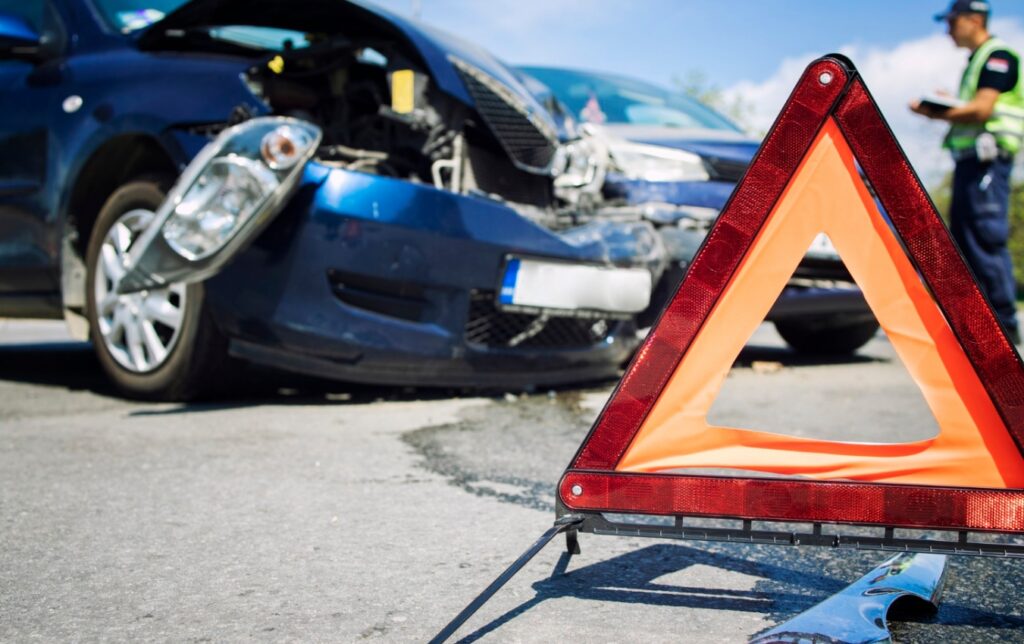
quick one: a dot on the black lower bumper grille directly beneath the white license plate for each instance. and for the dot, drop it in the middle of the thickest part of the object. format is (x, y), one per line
(491, 327)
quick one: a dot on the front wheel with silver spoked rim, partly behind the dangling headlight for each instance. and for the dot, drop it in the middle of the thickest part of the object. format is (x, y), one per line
(157, 345)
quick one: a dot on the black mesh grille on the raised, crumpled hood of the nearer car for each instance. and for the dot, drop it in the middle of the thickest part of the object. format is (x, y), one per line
(524, 137)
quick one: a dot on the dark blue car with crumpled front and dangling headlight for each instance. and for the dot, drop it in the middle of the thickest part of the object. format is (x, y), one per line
(313, 186)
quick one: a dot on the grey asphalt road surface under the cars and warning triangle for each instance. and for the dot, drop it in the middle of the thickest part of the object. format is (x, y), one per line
(309, 512)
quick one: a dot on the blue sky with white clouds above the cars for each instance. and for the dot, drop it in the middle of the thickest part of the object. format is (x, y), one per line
(752, 50)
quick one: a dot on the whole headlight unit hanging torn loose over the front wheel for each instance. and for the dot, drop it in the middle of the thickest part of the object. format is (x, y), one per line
(224, 199)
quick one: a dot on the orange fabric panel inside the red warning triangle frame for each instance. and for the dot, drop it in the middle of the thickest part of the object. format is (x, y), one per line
(973, 447)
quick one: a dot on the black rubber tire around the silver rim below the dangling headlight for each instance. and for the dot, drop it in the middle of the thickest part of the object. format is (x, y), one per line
(196, 355)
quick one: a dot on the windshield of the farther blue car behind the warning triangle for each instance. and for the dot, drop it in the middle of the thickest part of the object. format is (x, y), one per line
(609, 99)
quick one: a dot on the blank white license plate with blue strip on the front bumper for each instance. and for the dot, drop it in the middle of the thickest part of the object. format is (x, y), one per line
(533, 283)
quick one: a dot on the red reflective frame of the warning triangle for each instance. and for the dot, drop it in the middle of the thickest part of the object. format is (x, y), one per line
(830, 89)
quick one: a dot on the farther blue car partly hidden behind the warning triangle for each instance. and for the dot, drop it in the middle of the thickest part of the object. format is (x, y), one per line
(678, 162)
